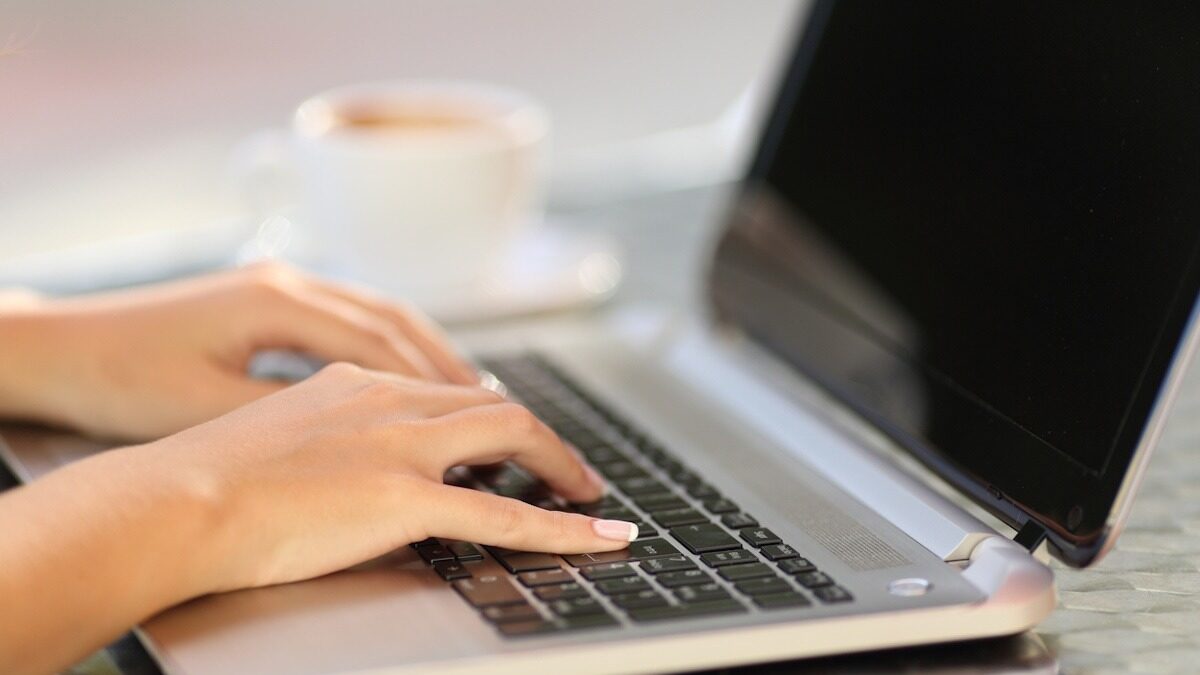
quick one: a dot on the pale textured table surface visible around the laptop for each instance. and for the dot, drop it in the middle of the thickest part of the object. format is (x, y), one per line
(1137, 612)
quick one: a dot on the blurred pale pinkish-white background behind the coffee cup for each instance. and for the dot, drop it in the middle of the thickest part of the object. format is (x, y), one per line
(118, 120)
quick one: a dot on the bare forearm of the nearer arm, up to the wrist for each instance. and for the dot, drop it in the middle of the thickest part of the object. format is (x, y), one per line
(93, 549)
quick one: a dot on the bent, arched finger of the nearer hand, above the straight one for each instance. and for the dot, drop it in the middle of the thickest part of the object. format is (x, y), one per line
(507, 432)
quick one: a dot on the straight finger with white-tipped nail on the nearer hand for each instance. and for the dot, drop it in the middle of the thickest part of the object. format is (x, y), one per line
(471, 516)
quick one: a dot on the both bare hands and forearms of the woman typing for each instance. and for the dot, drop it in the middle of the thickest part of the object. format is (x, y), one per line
(298, 482)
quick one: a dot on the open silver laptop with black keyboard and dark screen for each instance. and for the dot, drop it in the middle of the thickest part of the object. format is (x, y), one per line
(963, 267)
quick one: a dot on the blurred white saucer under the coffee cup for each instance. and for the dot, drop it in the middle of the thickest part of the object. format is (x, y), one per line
(550, 268)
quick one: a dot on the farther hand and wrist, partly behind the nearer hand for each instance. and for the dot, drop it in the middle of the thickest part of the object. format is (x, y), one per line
(146, 363)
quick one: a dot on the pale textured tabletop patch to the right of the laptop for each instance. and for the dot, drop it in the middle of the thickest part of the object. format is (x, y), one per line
(1139, 610)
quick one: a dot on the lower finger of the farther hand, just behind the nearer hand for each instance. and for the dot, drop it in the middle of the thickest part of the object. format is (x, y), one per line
(334, 330)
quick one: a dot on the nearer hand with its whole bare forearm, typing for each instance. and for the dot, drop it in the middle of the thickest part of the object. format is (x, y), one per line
(331, 473)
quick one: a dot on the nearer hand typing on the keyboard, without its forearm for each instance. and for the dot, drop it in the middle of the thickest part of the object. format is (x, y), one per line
(349, 465)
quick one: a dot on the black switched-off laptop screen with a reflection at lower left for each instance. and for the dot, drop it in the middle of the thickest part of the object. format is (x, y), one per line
(991, 214)
